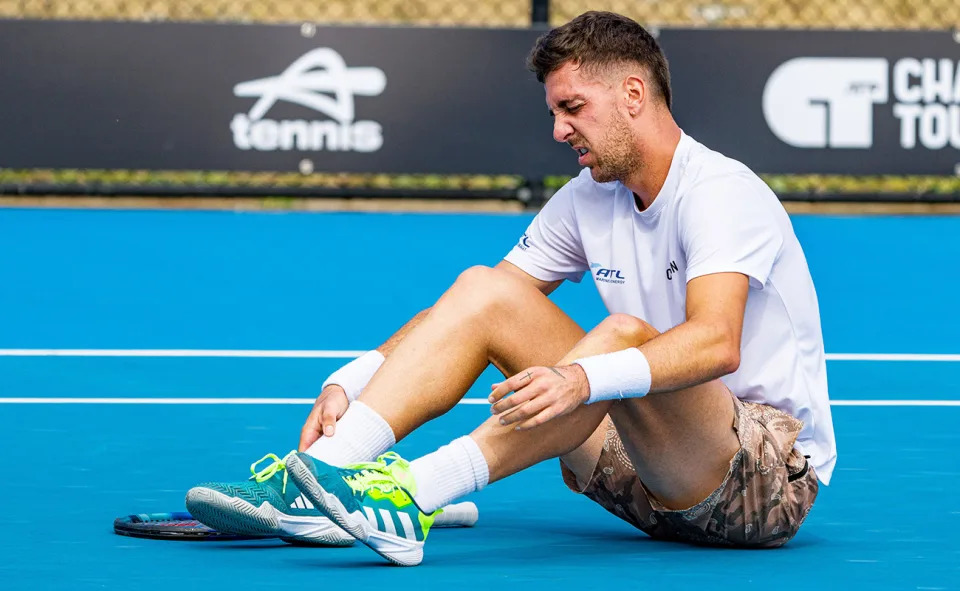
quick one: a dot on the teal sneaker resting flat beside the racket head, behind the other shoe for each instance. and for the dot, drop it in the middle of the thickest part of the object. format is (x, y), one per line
(266, 504)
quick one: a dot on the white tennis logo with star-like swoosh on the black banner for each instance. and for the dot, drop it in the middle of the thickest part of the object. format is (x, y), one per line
(319, 80)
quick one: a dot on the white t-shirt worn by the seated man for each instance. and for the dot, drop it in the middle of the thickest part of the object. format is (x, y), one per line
(712, 215)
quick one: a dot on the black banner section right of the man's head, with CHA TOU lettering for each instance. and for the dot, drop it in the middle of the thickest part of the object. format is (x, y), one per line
(821, 102)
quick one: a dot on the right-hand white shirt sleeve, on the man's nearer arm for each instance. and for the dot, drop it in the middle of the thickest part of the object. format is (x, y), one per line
(730, 226)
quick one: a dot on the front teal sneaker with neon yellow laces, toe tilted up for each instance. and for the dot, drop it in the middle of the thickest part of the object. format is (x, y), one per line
(373, 501)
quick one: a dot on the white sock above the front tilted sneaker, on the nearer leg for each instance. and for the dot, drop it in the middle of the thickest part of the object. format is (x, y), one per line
(449, 473)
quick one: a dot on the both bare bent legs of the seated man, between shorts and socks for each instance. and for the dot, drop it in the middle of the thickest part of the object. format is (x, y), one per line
(680, 442)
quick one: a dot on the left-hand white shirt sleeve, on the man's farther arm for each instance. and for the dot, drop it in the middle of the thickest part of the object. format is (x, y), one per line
(550, 249)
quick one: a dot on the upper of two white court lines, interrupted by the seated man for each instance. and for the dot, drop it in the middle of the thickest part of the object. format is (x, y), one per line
(305, 354)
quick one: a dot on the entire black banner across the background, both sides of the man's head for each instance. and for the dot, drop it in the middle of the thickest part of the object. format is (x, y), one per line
(180, 96)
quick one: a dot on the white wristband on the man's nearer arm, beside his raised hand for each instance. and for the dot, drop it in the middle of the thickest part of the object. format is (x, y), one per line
(614, 376)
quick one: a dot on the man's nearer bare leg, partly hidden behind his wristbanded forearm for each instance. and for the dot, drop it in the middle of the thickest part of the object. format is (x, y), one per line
(681, 443)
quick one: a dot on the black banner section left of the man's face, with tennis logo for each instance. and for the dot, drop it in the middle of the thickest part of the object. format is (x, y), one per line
(265, 97)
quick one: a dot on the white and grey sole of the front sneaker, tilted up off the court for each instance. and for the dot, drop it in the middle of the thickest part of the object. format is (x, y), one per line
(398, 550)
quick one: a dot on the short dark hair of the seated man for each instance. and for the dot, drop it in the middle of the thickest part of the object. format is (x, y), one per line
(597, 39)
